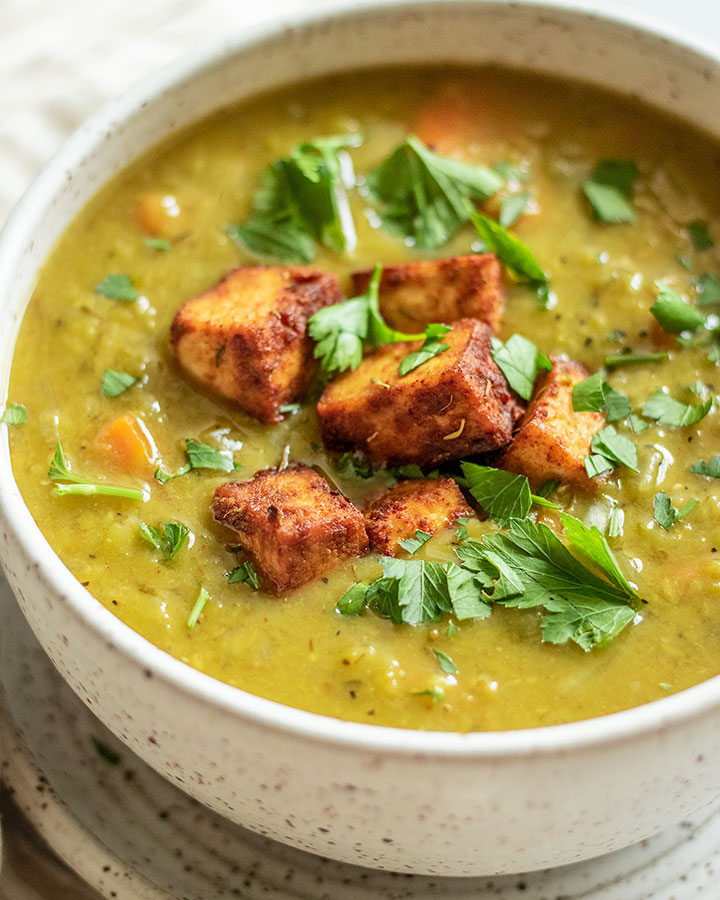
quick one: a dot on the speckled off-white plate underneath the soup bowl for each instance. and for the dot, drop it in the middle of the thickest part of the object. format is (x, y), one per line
(132, 835)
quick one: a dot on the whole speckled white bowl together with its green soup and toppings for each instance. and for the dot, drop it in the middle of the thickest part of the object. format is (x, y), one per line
(358, 452)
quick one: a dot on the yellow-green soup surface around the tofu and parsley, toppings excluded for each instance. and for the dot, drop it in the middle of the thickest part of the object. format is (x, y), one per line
(297, 648)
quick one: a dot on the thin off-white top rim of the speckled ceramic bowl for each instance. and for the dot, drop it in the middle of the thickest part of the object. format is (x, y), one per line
(667, 712)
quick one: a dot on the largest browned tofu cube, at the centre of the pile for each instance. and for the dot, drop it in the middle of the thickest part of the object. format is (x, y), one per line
(455, 404)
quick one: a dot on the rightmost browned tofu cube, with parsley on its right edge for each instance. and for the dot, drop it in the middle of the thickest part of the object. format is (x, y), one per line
(553, 440)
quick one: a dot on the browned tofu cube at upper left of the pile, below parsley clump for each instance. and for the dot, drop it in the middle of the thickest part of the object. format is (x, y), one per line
(246, 338)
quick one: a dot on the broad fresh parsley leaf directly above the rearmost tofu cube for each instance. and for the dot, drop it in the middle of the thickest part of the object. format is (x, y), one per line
(426, 197)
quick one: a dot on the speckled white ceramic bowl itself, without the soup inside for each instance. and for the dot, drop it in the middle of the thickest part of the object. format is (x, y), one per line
(455, 804)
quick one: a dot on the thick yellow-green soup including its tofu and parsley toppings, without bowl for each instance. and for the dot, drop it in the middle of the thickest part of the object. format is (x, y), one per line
(596, 209)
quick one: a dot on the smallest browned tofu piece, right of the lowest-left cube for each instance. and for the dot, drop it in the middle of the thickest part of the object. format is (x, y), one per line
(423, 504)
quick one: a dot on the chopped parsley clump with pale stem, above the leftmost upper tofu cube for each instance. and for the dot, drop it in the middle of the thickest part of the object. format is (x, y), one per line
(301, 201)
